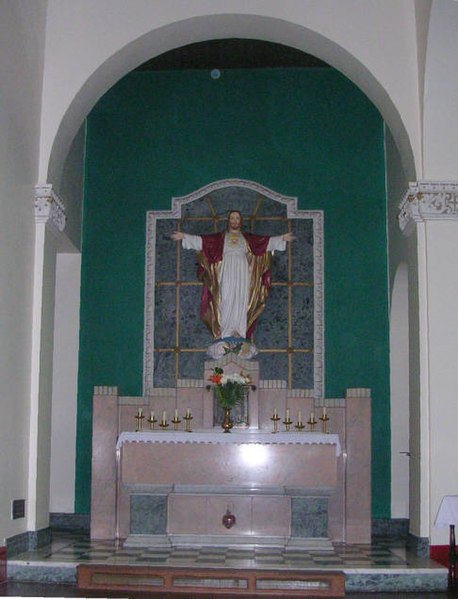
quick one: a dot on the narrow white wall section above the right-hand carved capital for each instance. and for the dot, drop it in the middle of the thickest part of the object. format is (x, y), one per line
(441, 93)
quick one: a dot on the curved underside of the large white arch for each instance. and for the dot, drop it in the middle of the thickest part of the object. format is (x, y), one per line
(196, 29)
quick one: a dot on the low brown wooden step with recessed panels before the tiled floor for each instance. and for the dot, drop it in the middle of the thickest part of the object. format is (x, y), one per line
(217, 581)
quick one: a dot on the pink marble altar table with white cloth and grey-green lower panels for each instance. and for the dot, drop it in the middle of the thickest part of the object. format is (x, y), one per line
(216, 489)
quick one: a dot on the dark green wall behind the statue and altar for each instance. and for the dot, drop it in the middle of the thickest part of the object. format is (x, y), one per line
(308, 133)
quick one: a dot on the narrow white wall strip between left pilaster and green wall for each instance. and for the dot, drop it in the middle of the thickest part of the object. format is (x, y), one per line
(64, 396)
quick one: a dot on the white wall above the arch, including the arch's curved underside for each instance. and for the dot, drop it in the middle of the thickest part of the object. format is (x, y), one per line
(92, 43)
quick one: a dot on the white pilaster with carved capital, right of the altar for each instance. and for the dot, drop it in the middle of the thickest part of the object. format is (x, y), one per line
(429, 213)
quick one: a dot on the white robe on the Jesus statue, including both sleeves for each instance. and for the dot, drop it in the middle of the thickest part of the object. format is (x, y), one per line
(234, 280)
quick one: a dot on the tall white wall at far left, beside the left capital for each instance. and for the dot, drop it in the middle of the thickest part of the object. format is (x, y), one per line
(22, 29)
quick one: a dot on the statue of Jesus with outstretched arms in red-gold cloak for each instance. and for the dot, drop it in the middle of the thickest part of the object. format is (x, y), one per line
(234, 267)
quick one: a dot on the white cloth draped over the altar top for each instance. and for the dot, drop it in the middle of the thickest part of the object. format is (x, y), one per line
(234, 437)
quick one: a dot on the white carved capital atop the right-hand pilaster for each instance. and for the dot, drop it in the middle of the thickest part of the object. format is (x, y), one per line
(428, 200)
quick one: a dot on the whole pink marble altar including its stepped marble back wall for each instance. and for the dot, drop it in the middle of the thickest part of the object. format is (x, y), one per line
(254, 486)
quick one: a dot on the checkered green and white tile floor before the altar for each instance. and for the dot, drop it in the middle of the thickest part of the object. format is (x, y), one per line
(80, 549)
